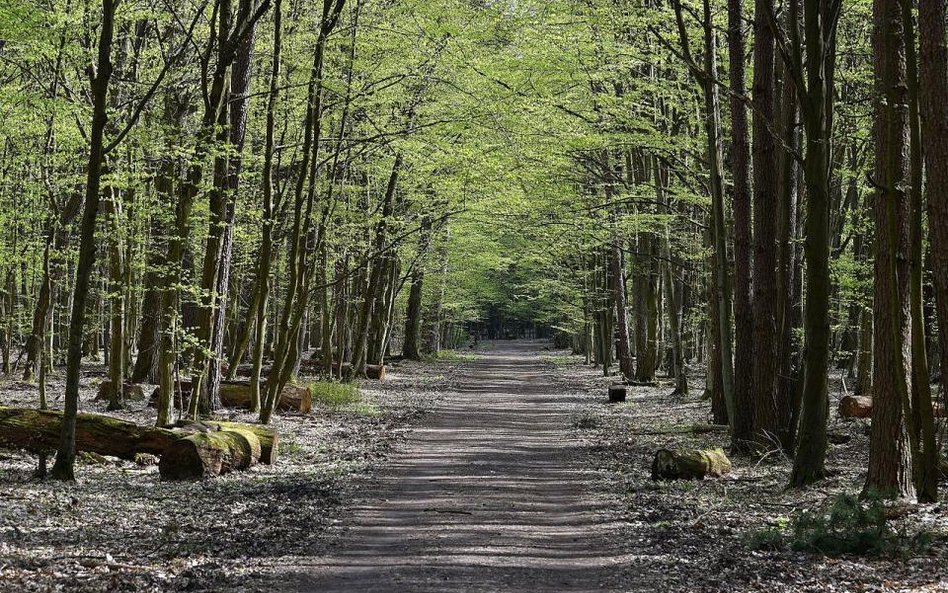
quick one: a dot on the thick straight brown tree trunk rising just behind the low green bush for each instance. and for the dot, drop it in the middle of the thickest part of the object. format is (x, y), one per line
(890, 462)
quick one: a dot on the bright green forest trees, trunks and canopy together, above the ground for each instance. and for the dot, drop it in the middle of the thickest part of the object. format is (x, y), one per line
(747, 193)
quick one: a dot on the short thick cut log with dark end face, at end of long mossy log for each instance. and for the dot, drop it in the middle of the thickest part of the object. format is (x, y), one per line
(208, 454)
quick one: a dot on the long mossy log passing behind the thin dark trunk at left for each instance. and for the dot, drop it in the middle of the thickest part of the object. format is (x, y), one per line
(39, 431)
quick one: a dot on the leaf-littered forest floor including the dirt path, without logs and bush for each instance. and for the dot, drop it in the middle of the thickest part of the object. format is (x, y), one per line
(518, 478)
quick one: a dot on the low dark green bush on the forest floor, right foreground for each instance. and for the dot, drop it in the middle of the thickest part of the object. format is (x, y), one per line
(850, 526)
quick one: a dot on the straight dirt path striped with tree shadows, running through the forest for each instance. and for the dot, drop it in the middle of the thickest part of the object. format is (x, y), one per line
(490, 493)
